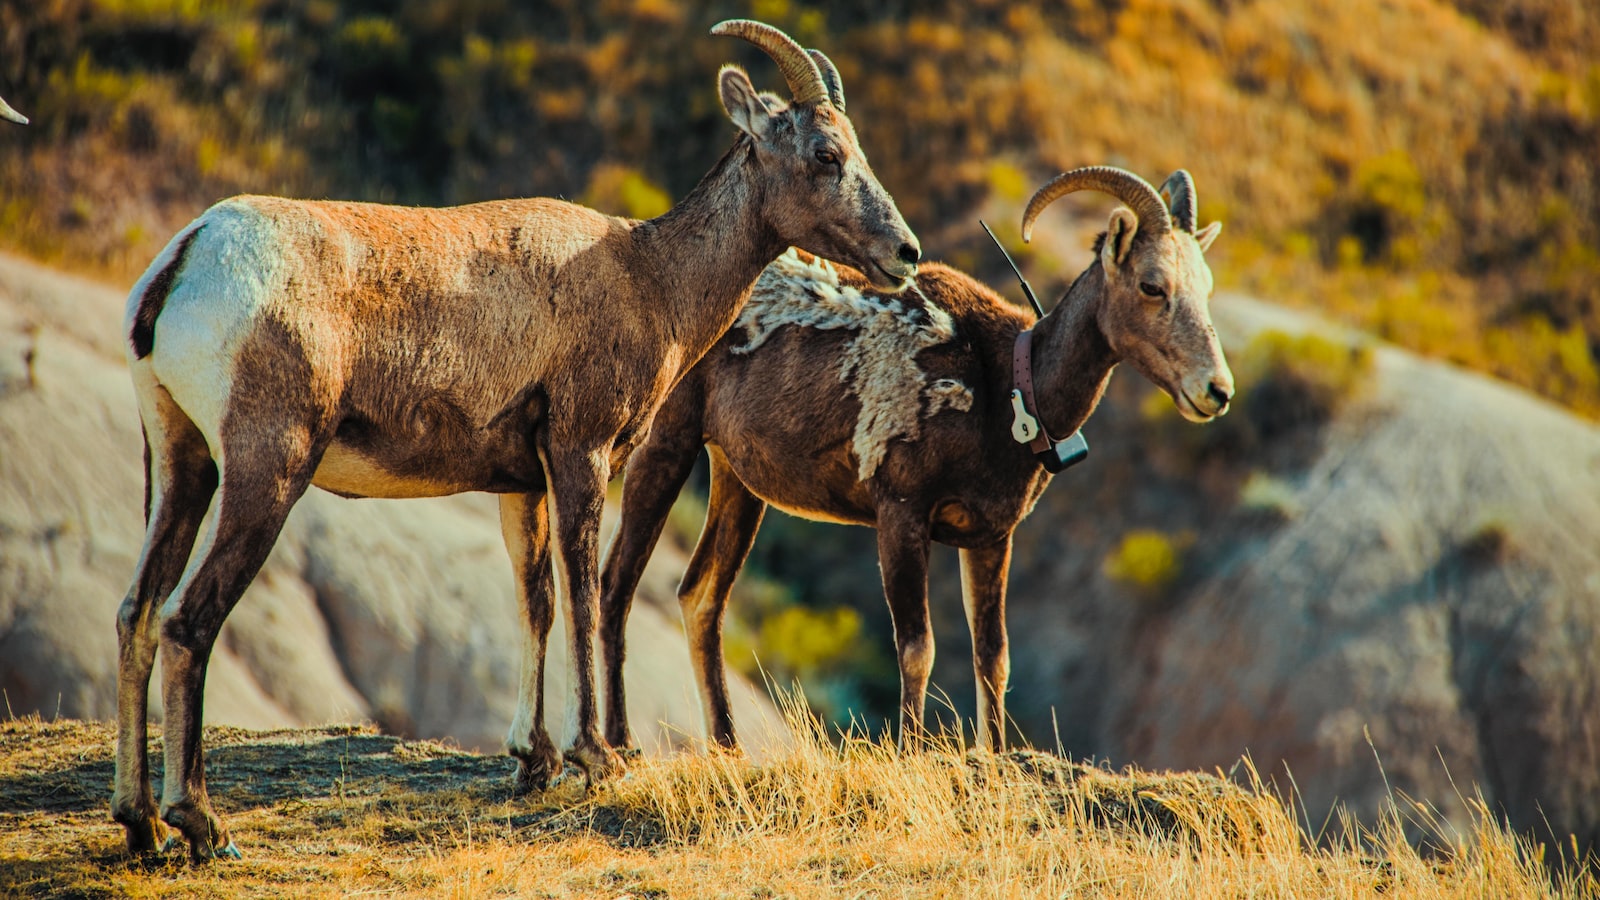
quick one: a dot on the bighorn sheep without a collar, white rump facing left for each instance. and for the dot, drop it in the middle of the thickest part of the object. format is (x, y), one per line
(518, 347)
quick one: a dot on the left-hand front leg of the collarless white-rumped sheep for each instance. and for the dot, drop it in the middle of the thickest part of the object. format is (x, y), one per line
(526, 524)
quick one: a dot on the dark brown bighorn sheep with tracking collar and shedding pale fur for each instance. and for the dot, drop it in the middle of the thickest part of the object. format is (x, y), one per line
(897, 416)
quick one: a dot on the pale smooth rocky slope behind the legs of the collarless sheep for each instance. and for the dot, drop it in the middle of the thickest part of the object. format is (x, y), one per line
(399, 613)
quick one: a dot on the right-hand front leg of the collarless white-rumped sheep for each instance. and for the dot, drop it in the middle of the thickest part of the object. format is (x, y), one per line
(578, 492)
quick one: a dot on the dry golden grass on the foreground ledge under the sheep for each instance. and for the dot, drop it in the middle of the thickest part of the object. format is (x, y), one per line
(345, 810)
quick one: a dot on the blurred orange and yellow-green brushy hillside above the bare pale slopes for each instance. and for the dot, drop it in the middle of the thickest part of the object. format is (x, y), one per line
(1422, 169)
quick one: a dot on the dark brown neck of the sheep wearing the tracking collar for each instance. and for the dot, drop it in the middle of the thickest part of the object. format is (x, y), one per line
(1073, 361)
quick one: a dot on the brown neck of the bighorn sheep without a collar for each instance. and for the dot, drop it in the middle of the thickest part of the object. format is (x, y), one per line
(710, 249)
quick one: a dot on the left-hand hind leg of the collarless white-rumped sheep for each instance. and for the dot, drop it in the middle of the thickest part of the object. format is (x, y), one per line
(180, 483)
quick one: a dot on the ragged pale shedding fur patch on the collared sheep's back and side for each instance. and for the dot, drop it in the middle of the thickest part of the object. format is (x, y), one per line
(879, 364)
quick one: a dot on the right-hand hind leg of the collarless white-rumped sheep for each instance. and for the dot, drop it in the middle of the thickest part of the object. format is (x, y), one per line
(250, 515)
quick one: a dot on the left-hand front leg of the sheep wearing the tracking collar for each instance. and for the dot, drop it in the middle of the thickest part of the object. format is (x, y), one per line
(903, 555)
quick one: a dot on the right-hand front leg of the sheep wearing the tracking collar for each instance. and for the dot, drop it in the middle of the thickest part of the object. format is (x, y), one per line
(985, 574)
